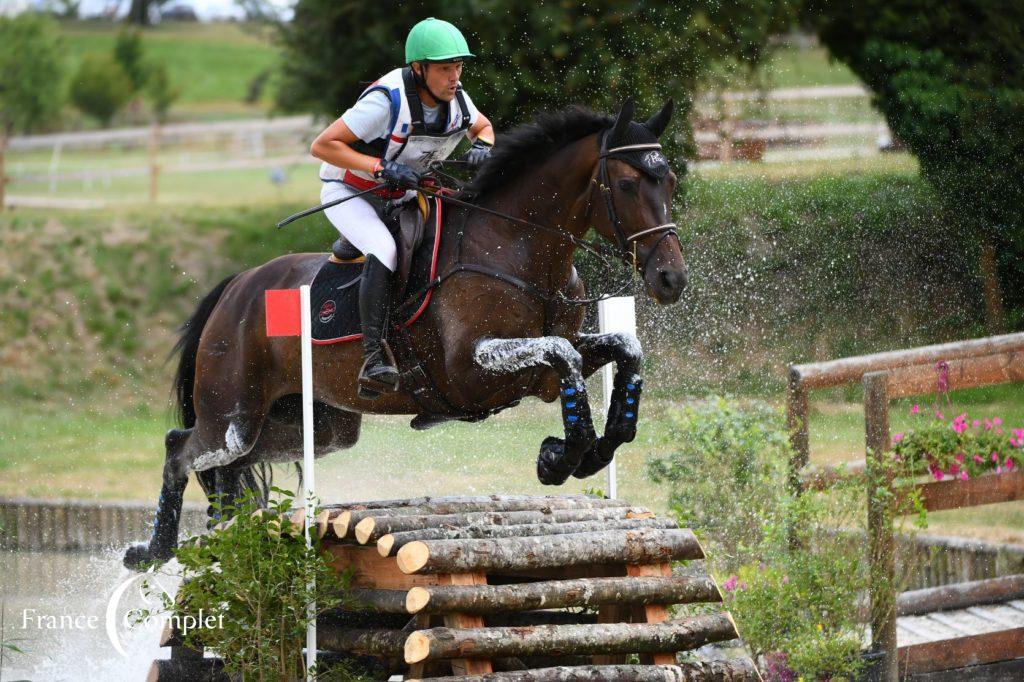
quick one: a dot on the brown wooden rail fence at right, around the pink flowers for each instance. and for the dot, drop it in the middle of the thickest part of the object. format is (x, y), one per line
(972, 629)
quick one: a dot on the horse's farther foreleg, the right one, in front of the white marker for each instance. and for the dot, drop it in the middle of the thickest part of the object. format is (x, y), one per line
(621, 424)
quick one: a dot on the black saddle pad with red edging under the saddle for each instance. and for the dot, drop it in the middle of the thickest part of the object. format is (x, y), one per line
(334, 295)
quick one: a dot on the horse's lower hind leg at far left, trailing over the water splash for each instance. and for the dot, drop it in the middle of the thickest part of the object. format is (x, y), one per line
(165, 525)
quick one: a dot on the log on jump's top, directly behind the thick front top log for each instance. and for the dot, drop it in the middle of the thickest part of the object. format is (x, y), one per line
(391, 544)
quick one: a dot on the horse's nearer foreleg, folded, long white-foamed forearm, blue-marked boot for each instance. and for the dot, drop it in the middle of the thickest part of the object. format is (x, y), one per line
(559, 458)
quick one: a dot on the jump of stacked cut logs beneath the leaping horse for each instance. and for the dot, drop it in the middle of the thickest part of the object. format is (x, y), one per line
(511, 588)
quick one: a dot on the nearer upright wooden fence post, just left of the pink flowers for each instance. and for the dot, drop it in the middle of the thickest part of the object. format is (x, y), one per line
(880, 524)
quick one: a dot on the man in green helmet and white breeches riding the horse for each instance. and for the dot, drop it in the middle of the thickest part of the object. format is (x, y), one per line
(403, 122)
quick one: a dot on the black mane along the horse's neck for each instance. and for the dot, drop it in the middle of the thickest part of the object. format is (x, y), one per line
(531, 144)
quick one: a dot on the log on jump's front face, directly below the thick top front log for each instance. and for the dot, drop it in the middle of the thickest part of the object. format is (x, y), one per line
(562, 594)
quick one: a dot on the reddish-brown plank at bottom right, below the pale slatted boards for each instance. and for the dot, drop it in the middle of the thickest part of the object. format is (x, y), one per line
(962, 652)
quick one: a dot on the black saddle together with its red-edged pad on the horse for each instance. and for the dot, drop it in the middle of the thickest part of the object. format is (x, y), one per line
(335, 290)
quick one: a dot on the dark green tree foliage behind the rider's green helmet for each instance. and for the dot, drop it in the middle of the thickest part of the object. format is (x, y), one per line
(530, 58)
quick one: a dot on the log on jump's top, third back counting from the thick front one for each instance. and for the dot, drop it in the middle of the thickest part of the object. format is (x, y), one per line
(374, 528)
